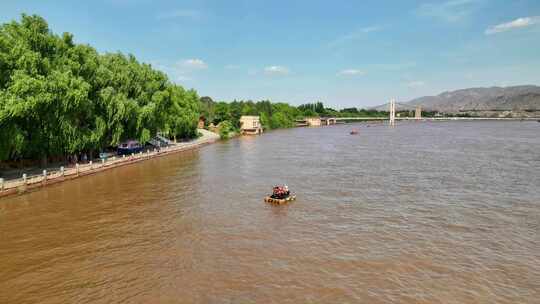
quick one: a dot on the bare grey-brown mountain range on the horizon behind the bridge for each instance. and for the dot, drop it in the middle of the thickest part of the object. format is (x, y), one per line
(516, 98)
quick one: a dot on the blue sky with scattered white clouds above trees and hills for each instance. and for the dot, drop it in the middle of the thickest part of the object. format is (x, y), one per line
(344, 53)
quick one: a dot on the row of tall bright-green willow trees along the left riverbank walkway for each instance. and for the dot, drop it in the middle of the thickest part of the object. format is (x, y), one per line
(59, 98)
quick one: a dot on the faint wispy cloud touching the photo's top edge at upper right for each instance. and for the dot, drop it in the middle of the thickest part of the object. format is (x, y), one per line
(450, 11)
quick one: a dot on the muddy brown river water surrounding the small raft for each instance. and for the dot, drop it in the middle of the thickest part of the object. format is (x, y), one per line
(441, 212)
